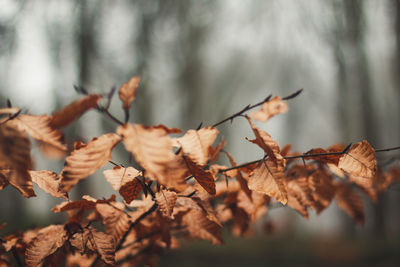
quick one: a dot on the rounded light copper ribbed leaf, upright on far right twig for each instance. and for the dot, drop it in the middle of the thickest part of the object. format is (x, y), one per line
(359, 160)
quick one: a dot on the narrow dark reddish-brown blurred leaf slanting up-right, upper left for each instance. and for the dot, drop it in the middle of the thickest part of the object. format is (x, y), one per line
(71, 112)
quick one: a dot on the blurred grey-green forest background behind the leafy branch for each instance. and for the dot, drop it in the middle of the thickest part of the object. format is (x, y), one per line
(200, 61)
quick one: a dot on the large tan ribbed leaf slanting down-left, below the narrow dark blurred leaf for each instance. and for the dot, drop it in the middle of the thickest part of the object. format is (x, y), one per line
(86, 159)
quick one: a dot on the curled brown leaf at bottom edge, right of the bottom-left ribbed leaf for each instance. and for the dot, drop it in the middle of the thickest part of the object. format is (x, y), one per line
(91, 240)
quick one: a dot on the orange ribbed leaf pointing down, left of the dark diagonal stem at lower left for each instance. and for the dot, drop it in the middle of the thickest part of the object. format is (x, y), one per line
(115, 219)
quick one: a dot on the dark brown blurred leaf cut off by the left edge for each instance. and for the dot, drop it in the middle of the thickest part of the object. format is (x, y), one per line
(15, 158)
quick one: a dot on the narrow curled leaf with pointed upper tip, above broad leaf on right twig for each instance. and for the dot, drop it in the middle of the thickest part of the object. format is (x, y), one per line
(264, 140)
